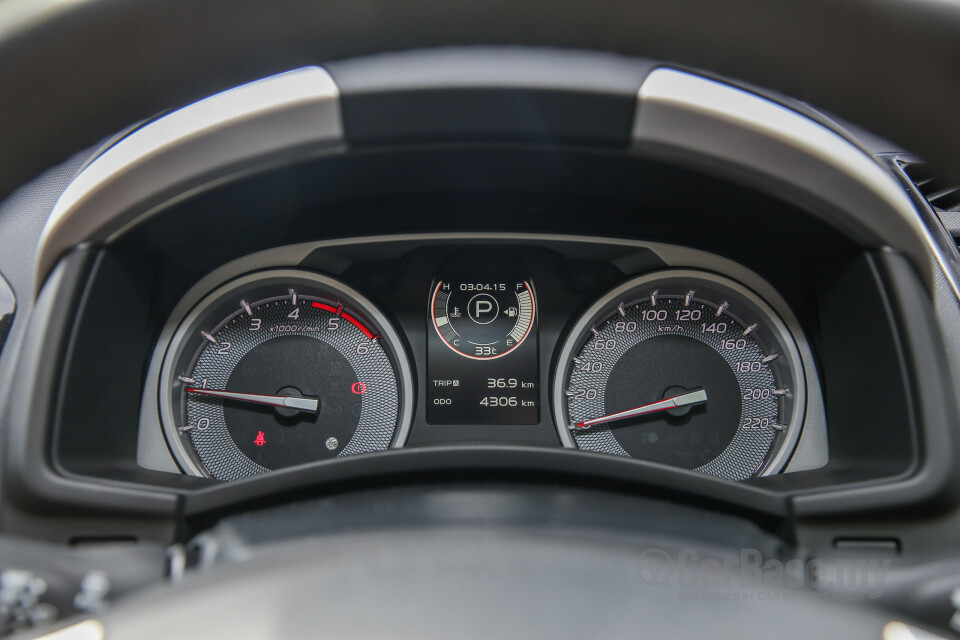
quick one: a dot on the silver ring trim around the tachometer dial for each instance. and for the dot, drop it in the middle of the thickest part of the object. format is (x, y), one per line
(170, 349)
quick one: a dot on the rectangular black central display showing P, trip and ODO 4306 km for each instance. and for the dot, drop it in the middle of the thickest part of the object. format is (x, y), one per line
(483, 352)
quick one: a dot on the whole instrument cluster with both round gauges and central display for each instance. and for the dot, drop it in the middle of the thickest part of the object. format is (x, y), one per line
(685, 367)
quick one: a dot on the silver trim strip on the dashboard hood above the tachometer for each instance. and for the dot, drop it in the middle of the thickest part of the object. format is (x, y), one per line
(275, 120)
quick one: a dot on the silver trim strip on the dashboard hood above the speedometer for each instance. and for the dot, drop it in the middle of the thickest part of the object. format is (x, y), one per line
(683, 115)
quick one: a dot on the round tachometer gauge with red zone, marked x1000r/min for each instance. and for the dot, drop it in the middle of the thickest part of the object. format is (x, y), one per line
(281, 368)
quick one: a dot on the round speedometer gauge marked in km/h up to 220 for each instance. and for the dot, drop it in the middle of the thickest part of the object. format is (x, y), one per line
(683, 368)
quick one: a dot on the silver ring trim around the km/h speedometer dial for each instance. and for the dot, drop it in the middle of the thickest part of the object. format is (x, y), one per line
(589, 317)
